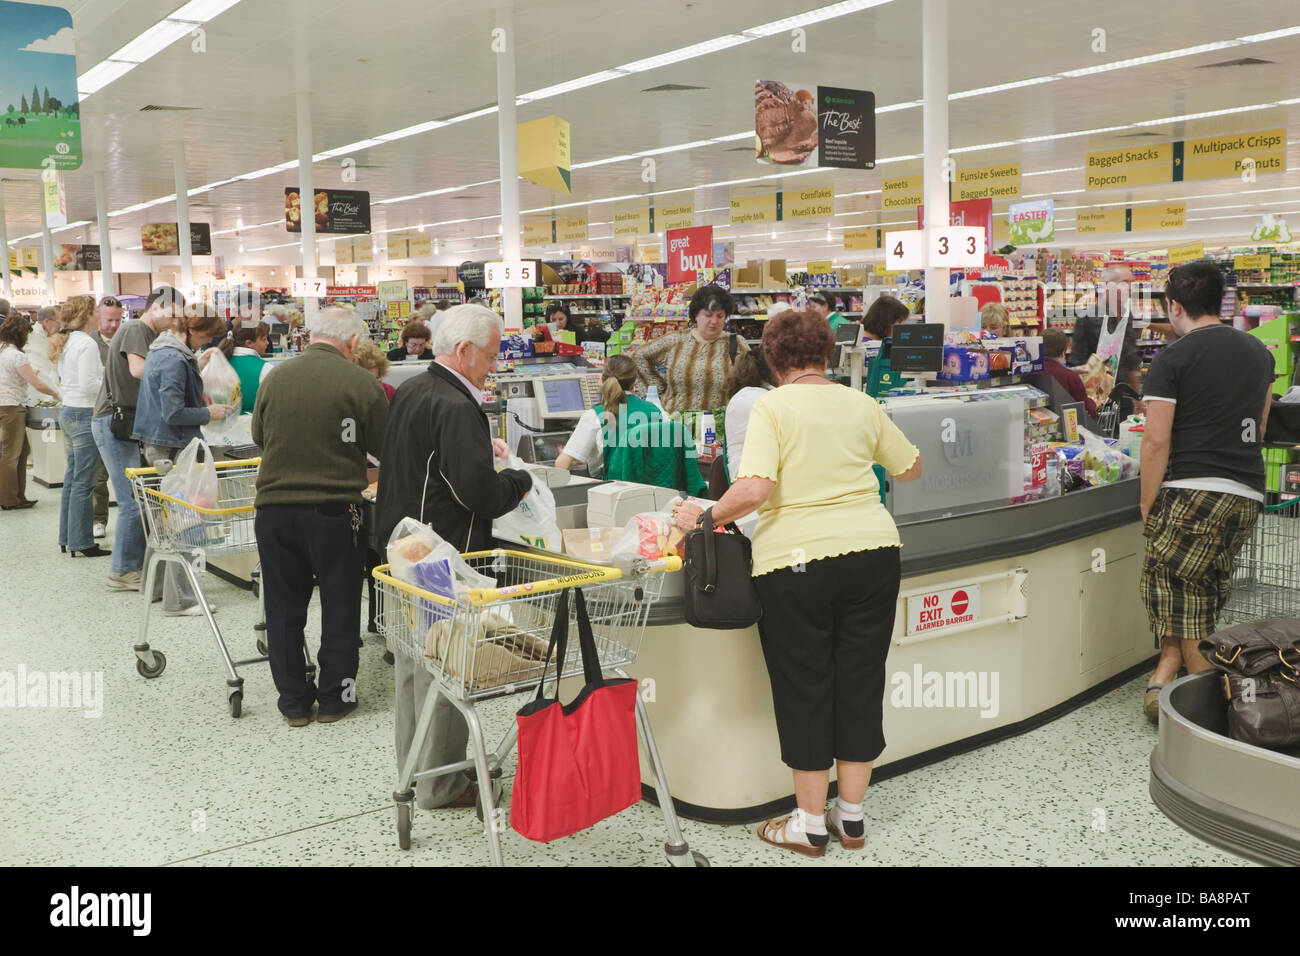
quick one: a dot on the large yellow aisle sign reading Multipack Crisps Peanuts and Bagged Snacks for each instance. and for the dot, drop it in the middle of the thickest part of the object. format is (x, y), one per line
(1211, 158)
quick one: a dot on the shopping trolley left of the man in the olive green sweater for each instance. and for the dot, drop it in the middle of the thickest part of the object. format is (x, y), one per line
(188, 535)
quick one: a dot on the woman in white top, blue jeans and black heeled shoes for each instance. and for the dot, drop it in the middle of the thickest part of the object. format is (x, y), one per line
(80, 374)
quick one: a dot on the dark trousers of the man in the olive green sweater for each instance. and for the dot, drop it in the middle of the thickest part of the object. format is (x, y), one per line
(298, 543)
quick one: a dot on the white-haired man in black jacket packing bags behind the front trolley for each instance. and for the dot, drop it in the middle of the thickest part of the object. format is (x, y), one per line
(439, 468)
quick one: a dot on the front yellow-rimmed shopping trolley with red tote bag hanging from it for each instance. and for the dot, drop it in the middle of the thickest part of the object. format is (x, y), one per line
(493, 643)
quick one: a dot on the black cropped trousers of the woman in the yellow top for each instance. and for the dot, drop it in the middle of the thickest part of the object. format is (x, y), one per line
(826, 634)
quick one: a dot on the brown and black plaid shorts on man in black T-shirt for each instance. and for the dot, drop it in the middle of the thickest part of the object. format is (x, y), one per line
(1193, 539)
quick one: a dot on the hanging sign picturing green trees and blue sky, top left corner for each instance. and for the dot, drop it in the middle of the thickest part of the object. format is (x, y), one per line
(38, 89)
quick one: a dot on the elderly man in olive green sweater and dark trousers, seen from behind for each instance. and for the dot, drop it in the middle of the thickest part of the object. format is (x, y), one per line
(317, 419)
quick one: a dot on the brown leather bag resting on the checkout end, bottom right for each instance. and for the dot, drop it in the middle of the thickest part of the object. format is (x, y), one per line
(1260, 663)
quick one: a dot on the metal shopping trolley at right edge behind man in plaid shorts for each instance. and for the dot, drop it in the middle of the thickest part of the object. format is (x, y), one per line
(1264, 576)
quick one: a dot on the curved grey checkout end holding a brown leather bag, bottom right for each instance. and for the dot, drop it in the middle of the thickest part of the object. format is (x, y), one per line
(1230, 794)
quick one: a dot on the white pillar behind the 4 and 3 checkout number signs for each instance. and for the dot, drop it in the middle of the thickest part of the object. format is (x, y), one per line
(934, 45)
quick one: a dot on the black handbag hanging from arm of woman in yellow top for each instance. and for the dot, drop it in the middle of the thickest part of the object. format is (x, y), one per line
(720, 586)
